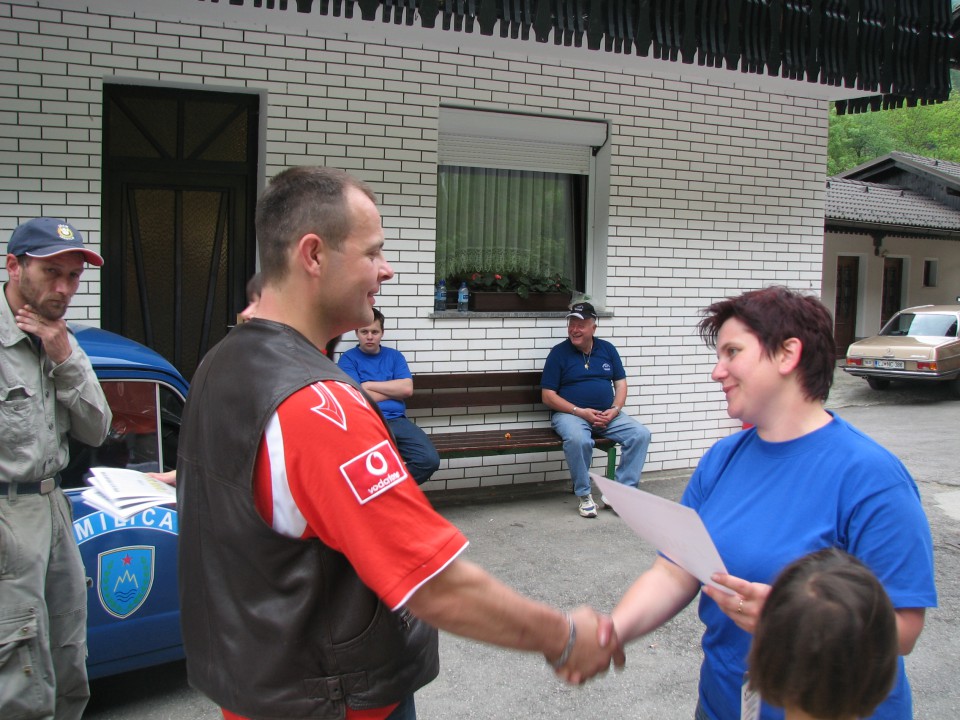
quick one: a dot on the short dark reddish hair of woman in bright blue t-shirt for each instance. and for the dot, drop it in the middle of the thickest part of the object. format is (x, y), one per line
(775, 314)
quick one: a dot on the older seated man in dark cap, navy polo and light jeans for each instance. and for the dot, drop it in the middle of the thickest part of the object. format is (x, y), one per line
(585, 385)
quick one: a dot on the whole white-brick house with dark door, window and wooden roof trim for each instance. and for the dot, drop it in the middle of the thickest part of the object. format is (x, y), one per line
(691, 146)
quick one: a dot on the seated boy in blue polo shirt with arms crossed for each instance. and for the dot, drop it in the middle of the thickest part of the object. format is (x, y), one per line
(384, 375)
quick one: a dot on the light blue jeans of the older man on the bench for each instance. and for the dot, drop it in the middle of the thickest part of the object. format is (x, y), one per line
(633, 438)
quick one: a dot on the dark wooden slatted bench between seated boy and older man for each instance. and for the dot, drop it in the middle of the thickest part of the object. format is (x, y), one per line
(471, 390)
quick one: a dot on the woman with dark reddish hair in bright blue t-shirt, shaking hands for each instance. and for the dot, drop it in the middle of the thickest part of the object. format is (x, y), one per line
(799, 480)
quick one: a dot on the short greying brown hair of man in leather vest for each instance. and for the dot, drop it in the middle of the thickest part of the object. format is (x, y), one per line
(298, 201)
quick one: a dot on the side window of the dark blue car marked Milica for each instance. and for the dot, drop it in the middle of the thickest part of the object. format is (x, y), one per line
(143, 435)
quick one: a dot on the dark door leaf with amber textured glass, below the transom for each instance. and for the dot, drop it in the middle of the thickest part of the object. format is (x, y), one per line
(175, 239)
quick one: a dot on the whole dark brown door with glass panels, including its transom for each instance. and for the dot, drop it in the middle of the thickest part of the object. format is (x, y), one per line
(179, 192)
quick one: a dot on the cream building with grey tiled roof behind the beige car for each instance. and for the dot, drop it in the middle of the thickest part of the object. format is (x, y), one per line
(891, 240)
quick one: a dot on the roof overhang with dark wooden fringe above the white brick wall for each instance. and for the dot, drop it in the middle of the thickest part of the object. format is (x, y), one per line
(371, 21)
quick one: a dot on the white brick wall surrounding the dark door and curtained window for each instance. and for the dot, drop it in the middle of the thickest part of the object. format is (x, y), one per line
(713, 189)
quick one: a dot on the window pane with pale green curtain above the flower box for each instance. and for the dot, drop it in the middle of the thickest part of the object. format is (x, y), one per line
(494, 220)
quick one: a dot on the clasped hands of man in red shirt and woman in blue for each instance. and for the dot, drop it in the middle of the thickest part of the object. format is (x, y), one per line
(591, 645)
